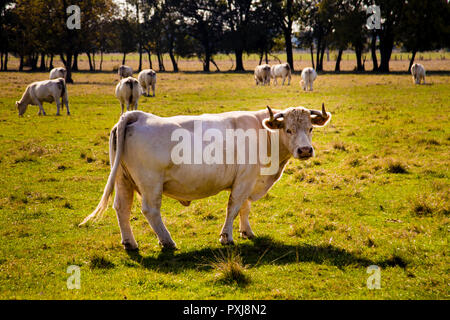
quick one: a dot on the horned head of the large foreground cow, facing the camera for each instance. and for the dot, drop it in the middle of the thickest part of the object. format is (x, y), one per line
(295, 127)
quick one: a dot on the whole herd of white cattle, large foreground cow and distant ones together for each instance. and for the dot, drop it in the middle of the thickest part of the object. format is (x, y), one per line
(141, 148)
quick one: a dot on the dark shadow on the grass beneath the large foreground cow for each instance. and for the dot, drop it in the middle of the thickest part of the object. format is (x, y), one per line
(259, 251)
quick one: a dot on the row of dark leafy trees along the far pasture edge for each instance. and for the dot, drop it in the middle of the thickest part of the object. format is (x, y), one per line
(35, 31)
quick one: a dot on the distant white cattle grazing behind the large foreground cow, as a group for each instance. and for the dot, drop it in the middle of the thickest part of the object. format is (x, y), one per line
(129, 89)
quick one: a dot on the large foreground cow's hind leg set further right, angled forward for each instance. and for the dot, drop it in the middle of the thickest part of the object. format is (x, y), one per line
(151, 205)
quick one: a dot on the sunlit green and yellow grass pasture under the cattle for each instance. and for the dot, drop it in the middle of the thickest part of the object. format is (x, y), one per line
(377, 193)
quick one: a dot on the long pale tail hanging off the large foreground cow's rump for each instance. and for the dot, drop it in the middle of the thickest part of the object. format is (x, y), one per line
(116, 141)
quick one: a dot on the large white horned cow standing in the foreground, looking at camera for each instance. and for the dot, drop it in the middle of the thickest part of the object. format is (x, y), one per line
(141, 147)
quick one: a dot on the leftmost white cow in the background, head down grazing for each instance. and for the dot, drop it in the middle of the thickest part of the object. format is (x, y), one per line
(44, 91)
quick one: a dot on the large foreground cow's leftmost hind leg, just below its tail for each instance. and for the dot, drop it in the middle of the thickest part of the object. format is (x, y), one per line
(122, 204)
